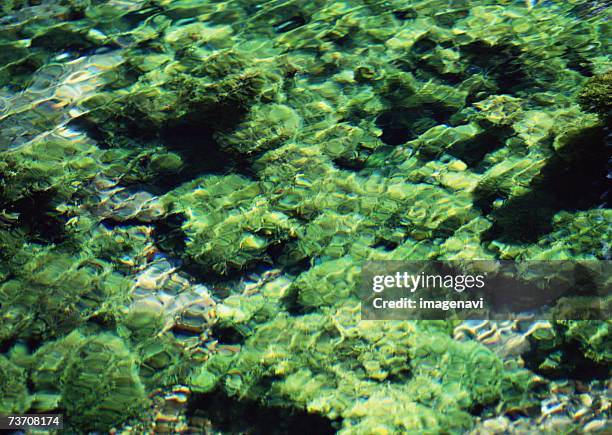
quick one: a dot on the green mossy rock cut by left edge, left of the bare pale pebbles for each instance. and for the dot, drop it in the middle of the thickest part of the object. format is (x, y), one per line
(50, 292)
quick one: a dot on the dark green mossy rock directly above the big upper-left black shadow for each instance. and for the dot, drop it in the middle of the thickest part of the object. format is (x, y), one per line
(217, 91)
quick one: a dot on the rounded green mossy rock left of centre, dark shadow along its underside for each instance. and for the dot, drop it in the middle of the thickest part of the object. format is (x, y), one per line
(229, 222)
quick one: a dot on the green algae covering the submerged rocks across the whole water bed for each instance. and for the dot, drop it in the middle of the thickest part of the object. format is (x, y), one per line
(336, 133)
